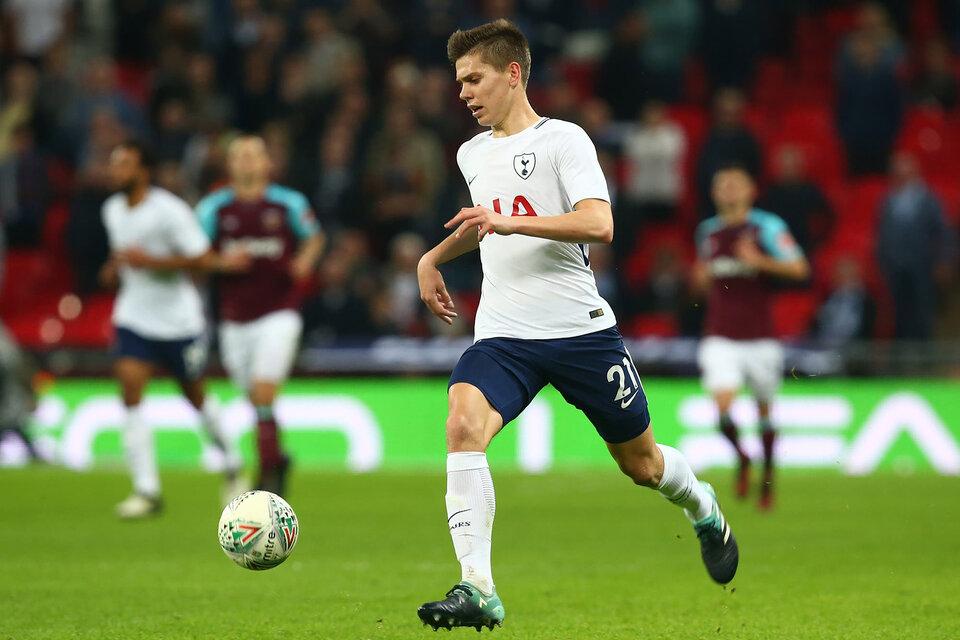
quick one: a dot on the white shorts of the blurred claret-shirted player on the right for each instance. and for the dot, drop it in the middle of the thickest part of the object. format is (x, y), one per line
(728, 365)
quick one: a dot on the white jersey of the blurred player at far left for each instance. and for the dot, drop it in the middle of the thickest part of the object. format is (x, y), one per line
(157, 305)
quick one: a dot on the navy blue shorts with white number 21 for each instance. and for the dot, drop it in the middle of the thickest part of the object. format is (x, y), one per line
(593, 372)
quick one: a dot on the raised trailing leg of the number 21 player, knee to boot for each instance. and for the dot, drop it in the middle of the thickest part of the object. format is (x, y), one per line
(666, 470)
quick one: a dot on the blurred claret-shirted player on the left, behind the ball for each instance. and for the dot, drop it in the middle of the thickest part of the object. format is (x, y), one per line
(259, 308)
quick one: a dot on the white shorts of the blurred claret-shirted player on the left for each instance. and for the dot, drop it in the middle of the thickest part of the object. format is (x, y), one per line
(262, 350)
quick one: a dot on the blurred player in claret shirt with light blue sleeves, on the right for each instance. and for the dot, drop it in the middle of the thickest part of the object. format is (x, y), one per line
(742, 251)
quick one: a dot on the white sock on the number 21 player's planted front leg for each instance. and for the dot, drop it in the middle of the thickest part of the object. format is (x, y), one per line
(471, 505)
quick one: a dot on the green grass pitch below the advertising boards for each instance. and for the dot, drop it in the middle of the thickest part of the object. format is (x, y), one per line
(576, 555)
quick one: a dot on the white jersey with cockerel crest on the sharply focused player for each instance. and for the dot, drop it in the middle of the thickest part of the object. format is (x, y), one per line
(535, 288)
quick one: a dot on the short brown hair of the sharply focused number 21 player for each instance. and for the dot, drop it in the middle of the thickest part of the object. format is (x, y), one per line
(499, 43)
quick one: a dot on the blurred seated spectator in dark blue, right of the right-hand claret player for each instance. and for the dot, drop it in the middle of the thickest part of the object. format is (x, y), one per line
(848, 313)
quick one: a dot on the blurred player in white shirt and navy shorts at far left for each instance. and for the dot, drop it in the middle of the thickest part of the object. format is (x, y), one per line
(155, 244)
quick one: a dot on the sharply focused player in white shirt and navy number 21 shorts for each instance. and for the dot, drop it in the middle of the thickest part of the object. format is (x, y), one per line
(540, 199)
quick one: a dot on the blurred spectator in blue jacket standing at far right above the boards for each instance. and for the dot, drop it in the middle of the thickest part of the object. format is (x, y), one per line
(916, 250)
